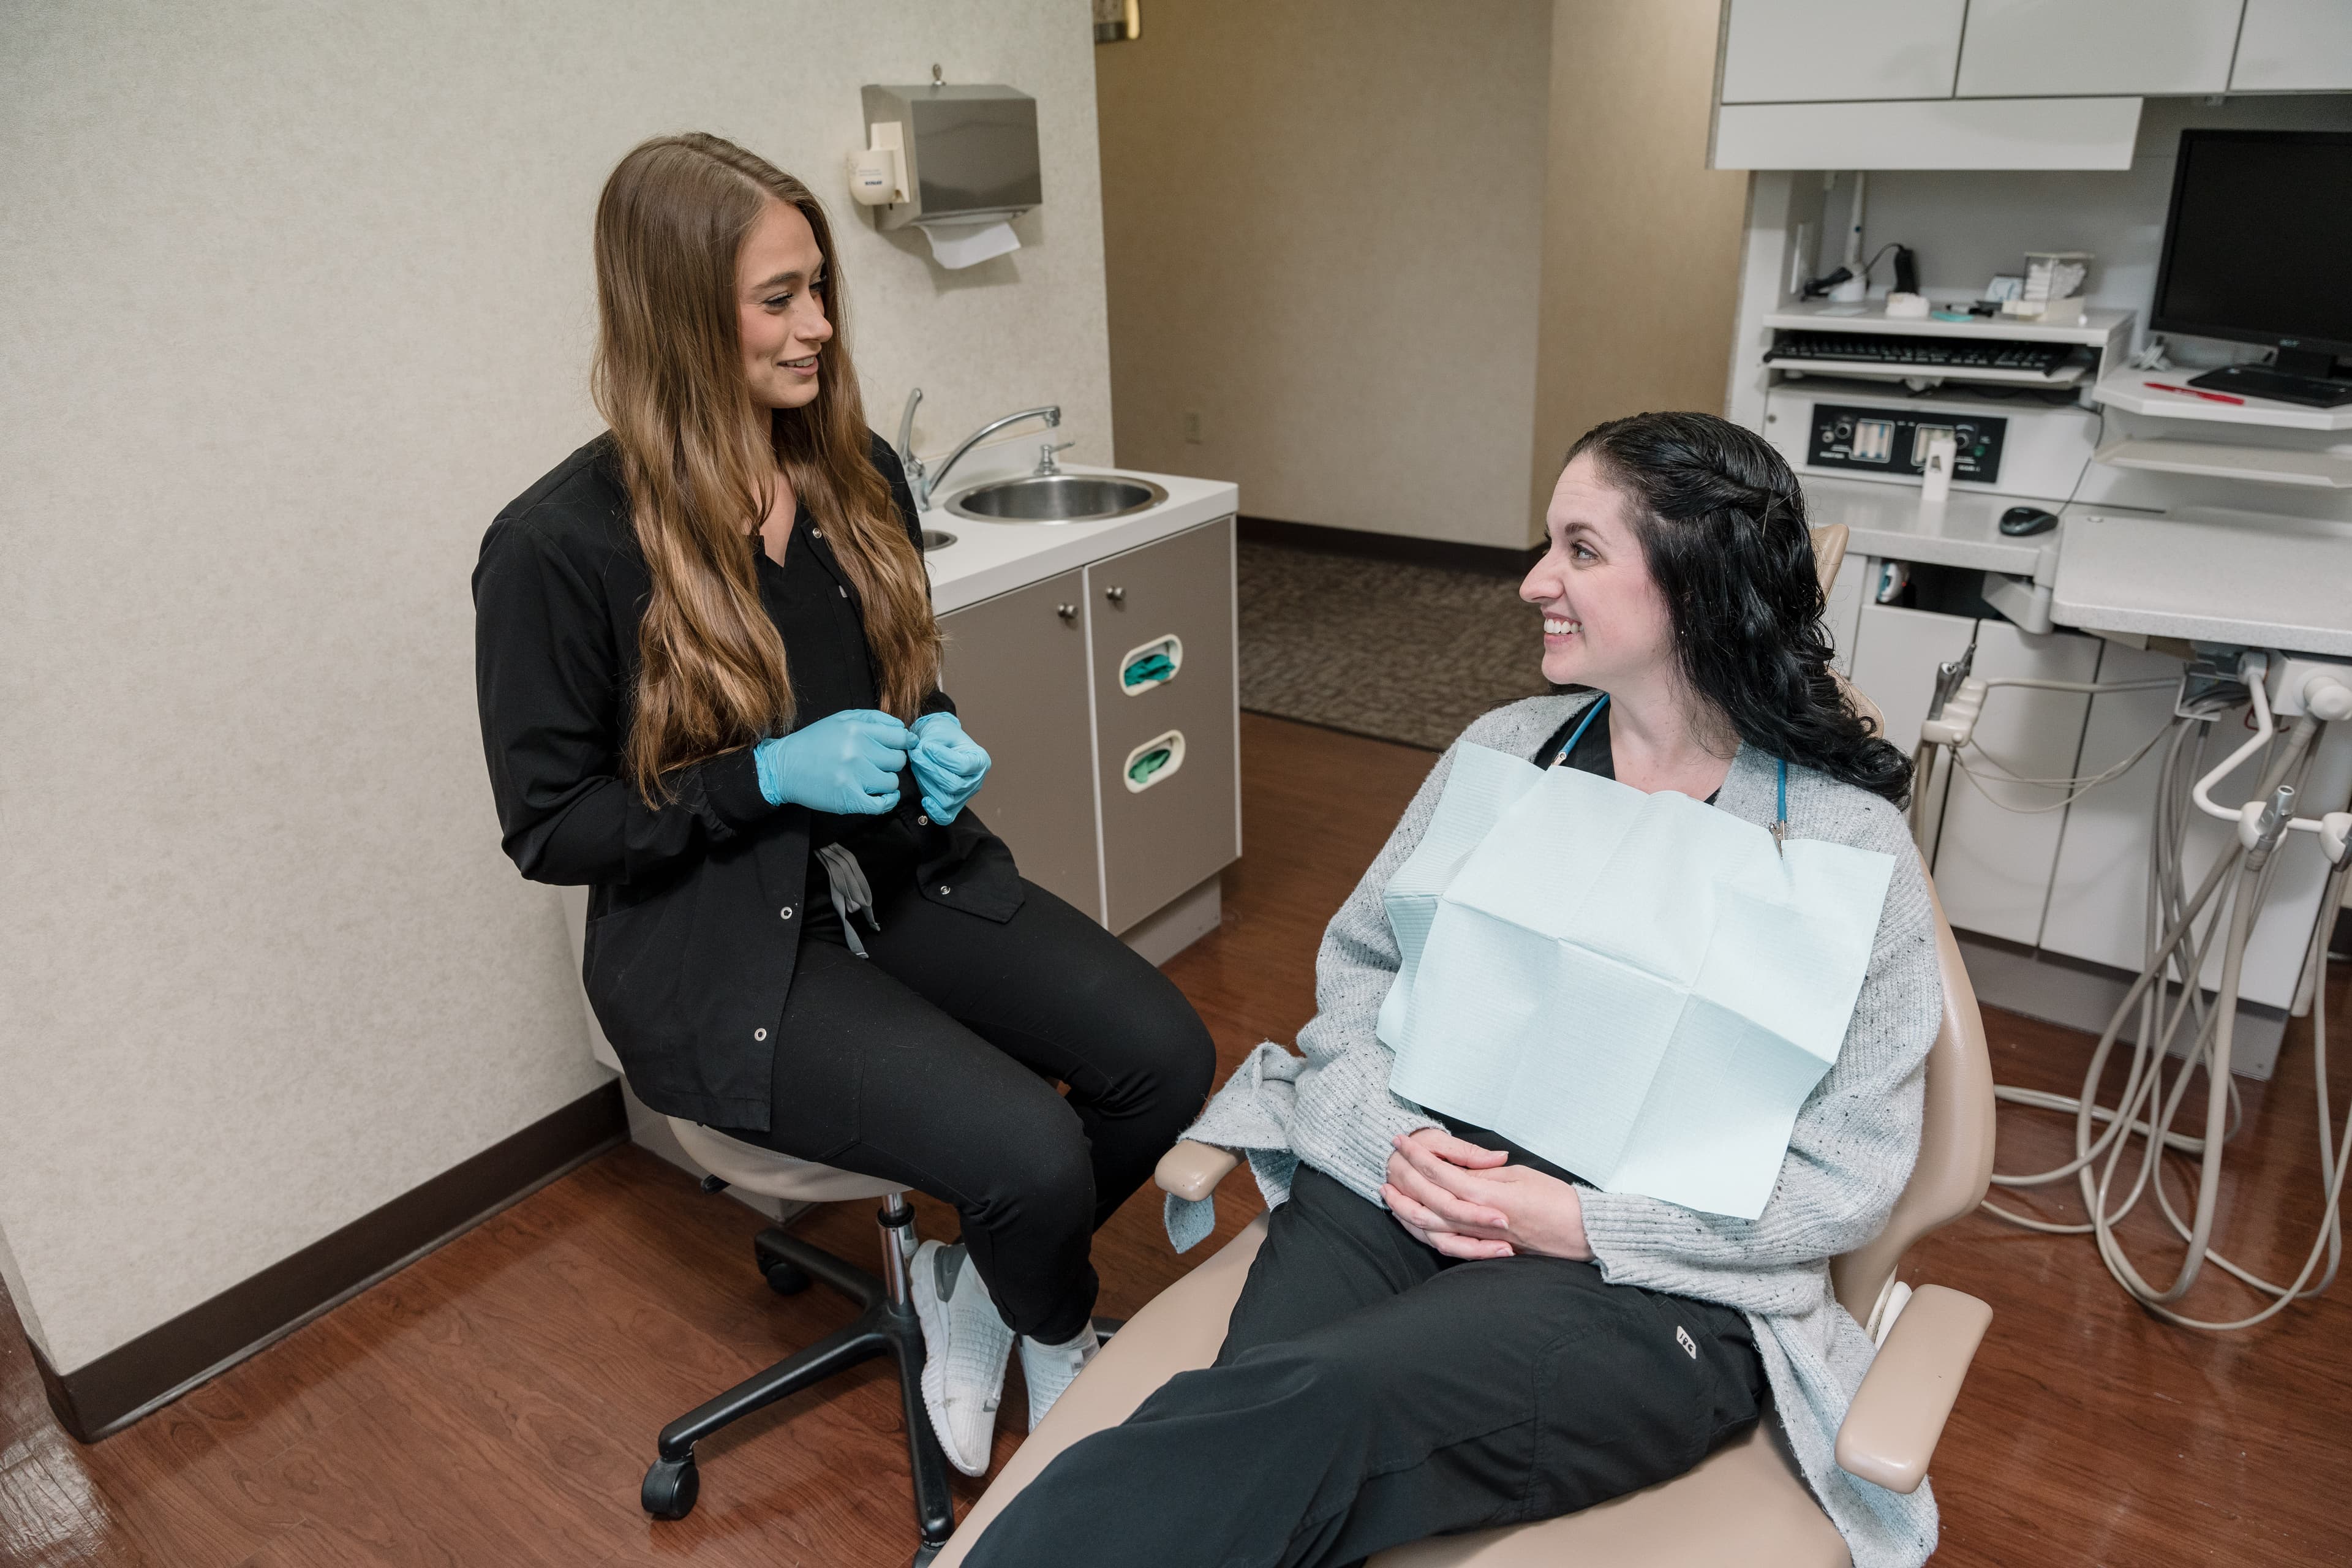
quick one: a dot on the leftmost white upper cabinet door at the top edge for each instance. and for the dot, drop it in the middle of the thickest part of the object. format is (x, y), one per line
(1840, 51)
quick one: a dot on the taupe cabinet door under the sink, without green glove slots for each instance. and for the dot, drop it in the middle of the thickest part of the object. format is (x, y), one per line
(1017, 671)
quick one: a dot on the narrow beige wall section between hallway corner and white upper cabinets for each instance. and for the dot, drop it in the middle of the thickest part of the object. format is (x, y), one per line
(1641, 239)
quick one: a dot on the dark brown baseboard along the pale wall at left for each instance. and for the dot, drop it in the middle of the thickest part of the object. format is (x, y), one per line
(203, 1341)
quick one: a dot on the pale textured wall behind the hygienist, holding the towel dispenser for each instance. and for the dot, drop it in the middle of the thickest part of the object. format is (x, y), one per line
(298, 300)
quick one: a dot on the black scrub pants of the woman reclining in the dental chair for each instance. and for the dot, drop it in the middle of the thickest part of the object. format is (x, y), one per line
(1375, 1393)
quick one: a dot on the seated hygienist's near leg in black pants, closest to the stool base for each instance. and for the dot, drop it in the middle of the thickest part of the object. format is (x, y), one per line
(876, 1080)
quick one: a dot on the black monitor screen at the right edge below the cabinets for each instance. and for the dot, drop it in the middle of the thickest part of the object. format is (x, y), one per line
(2259, 246)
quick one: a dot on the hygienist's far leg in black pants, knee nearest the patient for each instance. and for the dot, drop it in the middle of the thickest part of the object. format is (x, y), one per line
(1060, 993)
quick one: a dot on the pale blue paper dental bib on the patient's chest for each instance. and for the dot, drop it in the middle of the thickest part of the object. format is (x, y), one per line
(1638, 989)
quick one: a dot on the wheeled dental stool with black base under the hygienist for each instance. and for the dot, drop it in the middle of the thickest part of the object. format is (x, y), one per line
(883, 1329)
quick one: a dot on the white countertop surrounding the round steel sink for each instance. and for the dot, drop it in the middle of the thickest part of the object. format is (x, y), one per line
(991, 558)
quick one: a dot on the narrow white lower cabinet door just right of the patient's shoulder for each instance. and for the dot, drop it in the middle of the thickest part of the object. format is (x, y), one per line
(1998, 850)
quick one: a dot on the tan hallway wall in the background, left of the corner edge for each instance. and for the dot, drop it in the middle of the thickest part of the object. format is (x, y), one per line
(1323, 232)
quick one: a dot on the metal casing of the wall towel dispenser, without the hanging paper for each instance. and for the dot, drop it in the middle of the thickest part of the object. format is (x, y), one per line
(970, 154)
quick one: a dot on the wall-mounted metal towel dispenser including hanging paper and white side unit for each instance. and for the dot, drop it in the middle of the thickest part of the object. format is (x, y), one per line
(961, 163)
